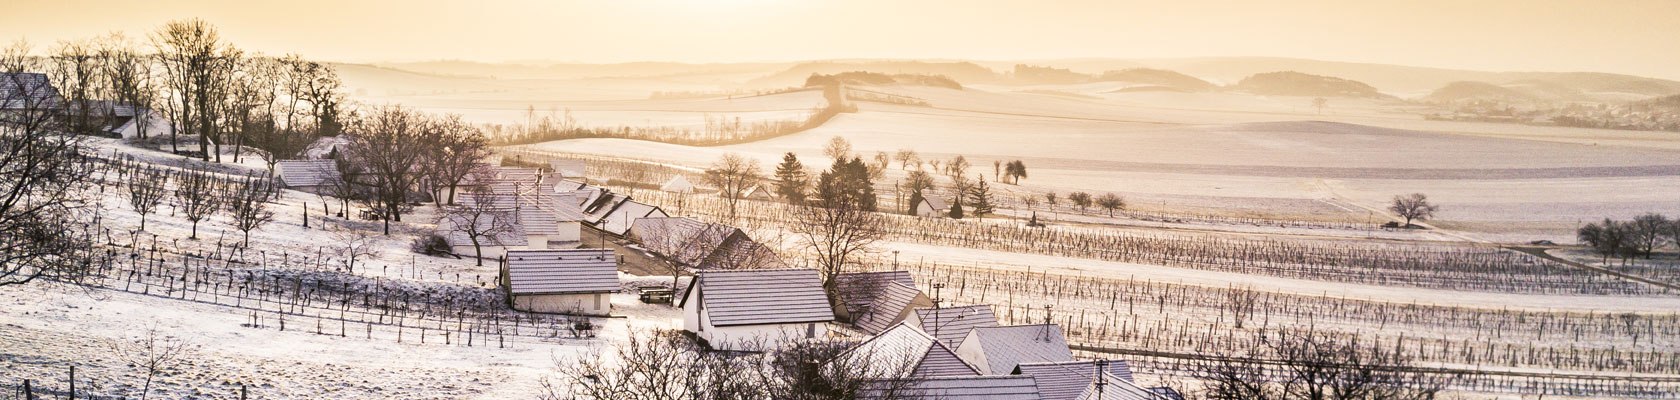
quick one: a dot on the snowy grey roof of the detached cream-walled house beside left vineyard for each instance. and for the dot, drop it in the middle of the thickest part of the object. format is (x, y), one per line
(562, 271)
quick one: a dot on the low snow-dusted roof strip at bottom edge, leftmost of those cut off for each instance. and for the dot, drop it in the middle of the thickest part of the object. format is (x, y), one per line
(999, 387)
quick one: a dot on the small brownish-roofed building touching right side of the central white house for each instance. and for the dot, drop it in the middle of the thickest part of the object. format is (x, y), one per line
(874, 302)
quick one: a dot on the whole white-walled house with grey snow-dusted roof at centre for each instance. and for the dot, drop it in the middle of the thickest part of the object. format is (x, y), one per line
(755, 308)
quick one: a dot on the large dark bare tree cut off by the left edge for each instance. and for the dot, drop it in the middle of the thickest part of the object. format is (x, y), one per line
(43, 179)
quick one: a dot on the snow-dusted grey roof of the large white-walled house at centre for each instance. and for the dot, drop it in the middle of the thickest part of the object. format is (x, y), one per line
(760, 297)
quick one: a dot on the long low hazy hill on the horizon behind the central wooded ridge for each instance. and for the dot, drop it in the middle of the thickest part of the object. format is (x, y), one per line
(797, 75)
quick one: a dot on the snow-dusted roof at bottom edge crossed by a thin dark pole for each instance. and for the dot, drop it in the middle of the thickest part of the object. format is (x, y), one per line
(1073, 381)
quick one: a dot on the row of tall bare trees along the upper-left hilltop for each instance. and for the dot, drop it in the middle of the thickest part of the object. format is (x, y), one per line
(202, 85)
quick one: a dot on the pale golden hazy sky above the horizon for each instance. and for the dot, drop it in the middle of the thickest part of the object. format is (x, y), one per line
(1610, 36)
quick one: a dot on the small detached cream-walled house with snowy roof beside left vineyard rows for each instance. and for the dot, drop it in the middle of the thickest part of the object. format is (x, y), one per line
(579, 282)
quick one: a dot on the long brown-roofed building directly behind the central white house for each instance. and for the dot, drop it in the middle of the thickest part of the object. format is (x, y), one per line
(703, 246)
